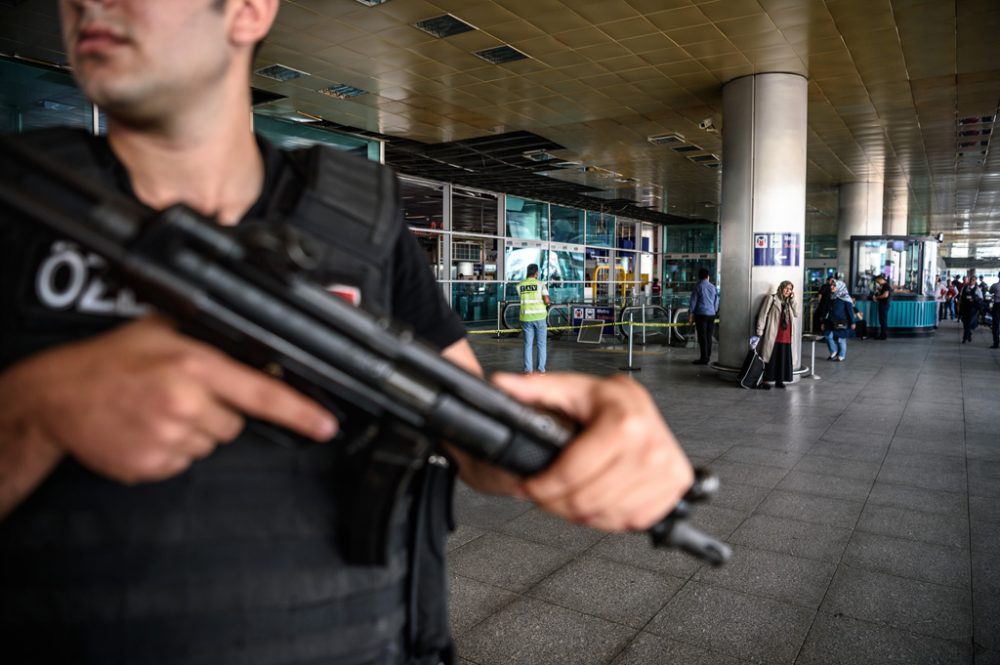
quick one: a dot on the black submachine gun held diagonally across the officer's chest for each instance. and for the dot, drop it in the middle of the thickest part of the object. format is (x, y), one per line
(244, 292)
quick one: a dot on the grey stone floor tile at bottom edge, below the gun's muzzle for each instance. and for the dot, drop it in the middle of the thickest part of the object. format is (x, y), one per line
(734, 624)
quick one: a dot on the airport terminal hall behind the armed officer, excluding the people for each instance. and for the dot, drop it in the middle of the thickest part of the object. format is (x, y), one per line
(623, 146)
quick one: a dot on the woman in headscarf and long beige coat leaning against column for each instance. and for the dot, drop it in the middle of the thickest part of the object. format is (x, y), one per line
(777, 326)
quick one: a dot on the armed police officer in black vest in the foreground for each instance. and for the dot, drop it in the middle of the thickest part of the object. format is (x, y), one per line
(140, 521)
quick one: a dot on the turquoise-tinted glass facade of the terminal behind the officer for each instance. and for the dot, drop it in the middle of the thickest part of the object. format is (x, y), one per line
(477, 243)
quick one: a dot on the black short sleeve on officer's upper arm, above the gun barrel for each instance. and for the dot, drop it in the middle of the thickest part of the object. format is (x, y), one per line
(417, 299)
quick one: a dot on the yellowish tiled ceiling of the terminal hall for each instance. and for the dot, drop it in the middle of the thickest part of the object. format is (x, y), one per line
(889, 85)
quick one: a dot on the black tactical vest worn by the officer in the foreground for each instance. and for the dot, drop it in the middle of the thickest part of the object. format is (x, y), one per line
(241, 558)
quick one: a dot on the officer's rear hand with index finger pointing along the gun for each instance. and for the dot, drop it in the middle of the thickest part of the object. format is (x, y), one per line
(143, 402)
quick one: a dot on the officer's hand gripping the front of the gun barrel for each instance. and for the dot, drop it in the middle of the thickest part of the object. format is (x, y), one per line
(624, 471)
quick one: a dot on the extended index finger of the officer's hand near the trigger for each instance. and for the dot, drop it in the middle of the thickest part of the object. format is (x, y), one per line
(260, 396)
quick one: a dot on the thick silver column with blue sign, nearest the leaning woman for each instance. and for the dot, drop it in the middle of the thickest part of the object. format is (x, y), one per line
(763, 201)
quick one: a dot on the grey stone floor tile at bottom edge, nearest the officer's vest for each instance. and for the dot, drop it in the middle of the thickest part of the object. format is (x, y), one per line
(530, 632)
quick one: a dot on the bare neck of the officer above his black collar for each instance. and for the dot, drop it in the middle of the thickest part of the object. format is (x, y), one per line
(209, 160)
